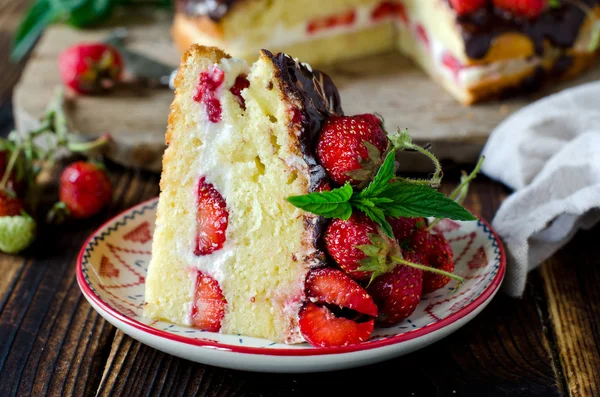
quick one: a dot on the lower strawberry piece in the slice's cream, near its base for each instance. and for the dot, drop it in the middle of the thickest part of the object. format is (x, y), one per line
(208, 308)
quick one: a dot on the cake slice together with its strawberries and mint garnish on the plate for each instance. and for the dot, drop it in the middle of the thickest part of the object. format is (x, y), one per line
(278, 216)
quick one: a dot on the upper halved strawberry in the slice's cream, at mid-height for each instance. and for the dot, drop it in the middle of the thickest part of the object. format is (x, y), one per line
(212, 219)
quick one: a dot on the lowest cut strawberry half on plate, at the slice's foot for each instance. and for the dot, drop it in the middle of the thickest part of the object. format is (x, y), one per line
(322, 328)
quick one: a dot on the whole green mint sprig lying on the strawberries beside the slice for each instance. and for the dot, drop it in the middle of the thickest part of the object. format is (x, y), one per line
(382, 199)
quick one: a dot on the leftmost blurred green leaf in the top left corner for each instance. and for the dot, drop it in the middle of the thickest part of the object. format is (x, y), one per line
(40, 15)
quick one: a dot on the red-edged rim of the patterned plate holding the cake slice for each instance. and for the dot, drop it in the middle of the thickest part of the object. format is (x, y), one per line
(368, 345)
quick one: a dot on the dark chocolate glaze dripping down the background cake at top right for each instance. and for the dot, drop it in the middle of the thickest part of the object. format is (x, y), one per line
(560, 26)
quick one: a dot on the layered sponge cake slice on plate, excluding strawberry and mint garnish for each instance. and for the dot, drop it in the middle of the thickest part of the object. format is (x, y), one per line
(230, 254)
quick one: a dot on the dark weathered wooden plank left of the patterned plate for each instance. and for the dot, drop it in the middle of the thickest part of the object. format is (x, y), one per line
(53, 341)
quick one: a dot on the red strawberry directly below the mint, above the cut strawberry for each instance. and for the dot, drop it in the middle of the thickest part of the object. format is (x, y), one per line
(342, 239)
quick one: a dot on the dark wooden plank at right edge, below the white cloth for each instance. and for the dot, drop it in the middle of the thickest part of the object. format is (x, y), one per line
(571, 280)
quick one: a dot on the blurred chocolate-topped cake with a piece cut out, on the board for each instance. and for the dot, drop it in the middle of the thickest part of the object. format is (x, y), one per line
(474, 48)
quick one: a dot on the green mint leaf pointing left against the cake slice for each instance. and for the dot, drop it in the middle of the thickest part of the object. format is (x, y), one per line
(330, 204)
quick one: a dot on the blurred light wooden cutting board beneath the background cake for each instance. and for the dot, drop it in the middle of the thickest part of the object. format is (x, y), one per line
(388, 84)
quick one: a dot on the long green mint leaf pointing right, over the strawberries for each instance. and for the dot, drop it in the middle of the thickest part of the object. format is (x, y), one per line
(422, 201)
